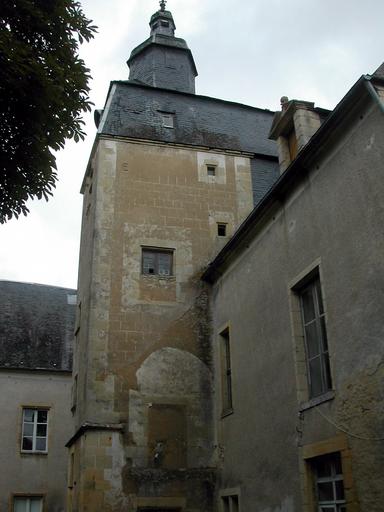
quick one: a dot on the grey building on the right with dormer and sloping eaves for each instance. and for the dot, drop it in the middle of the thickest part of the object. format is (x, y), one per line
(298, 320)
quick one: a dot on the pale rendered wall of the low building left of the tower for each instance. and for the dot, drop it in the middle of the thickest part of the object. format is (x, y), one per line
(27, 473)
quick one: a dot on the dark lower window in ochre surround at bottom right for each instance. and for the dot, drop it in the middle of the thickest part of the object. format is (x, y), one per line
(329, 485)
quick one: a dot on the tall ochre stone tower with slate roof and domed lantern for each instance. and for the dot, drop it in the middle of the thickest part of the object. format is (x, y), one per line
(170, 177)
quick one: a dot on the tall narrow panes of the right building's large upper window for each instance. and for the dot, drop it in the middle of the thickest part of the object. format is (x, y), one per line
(315, 336)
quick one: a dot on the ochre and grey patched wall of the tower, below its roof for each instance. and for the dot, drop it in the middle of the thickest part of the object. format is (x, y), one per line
(145, 357)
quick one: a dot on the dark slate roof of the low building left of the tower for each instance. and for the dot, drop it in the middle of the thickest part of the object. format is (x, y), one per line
(36, 326)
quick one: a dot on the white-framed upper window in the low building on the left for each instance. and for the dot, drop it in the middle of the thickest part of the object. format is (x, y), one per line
(34, 438)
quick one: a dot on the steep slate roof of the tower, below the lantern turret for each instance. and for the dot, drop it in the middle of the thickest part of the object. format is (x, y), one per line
(134, 110)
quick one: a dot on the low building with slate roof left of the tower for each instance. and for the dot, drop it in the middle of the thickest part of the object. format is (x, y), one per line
(36, 331)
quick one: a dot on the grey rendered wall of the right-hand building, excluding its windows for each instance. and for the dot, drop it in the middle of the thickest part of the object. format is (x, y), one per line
(332, 220)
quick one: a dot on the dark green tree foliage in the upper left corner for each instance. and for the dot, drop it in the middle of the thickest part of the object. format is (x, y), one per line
(44, 88)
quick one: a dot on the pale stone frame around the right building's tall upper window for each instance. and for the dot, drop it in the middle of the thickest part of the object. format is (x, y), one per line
(302, 381)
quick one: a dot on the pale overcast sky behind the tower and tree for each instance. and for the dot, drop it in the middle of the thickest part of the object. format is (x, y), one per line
(249, 51)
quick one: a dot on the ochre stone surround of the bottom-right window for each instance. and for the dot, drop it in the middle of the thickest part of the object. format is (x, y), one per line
(307, 453)
